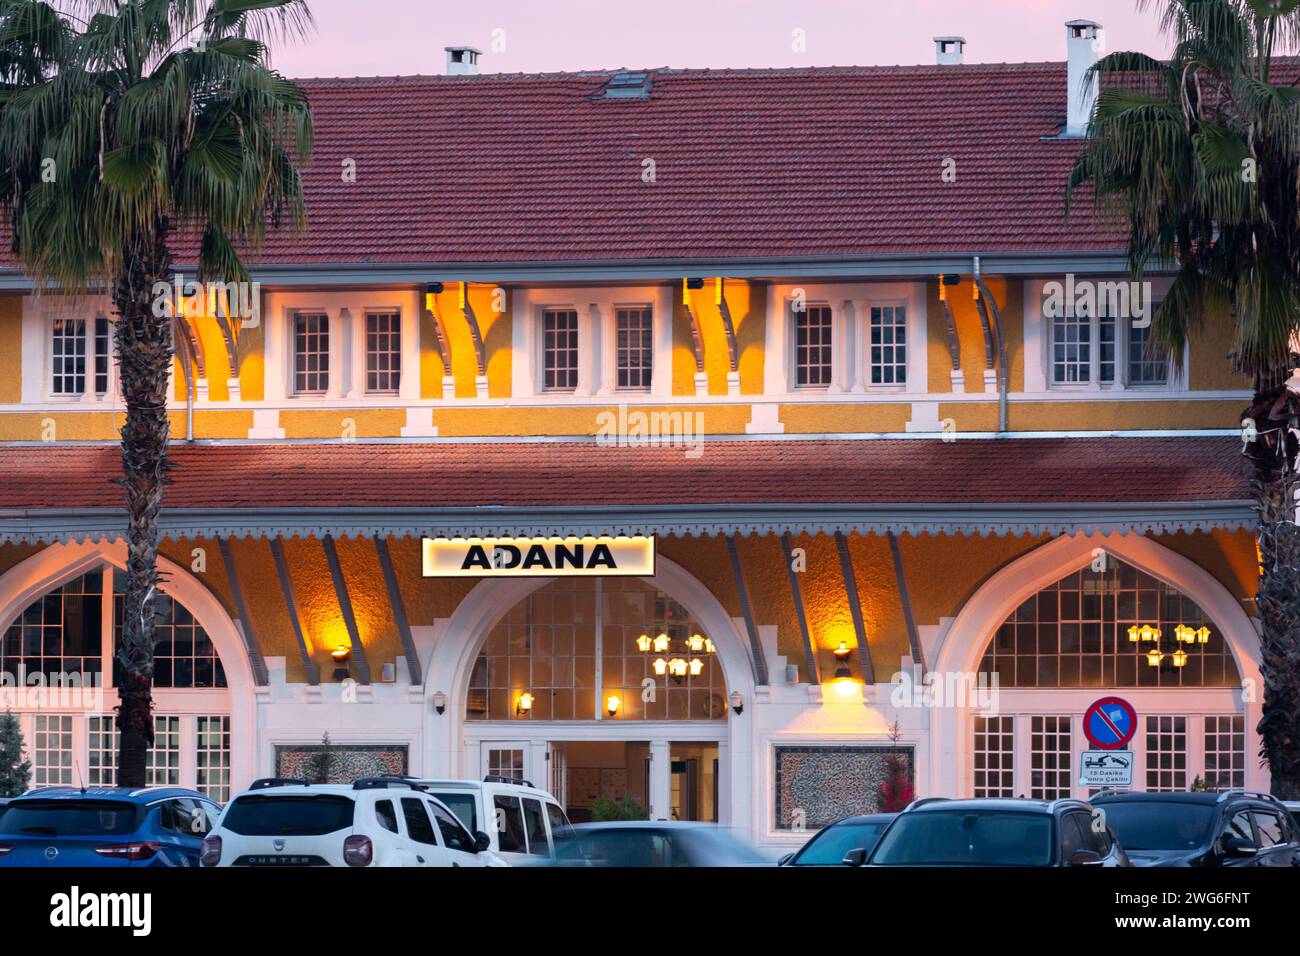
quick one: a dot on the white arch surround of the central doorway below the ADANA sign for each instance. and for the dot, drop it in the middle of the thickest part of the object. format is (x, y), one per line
(457, 648)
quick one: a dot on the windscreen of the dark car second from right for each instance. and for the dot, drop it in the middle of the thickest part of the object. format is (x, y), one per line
(967, 838)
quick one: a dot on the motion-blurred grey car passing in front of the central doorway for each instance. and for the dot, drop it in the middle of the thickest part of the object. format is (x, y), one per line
(652, 843)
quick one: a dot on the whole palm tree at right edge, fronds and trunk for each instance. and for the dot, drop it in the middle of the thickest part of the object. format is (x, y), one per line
(1201, 158)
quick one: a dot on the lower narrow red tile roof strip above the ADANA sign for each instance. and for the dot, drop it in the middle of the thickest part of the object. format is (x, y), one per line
(441, 475)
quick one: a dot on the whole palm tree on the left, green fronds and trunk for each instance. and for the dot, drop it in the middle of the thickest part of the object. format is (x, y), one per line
(125, 126)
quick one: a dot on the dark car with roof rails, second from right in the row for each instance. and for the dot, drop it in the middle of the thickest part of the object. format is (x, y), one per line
(995, 833)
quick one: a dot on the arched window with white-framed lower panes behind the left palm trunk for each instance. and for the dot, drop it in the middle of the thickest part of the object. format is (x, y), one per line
(66, 642)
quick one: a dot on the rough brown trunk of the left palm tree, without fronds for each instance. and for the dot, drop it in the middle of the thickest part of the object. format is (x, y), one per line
(145, 361)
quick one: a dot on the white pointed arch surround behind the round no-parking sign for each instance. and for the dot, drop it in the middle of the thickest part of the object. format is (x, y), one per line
(963, 643)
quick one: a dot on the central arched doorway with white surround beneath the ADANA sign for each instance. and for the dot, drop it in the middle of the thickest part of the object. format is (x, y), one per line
(597, 687)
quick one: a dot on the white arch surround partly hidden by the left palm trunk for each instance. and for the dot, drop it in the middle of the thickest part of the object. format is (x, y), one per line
(60, 564)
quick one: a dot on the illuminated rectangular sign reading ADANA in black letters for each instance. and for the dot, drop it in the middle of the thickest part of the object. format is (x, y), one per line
(538, 557)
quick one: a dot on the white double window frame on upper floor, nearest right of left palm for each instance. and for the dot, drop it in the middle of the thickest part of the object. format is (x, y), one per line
(348, 379)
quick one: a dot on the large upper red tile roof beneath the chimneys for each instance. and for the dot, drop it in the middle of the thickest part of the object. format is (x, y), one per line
(748, 163)
